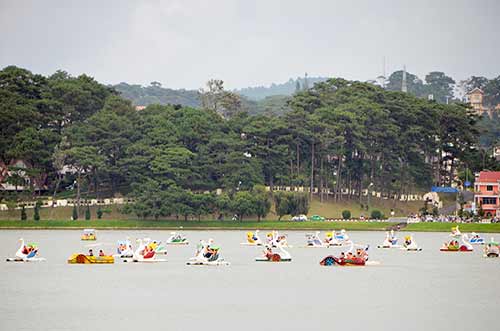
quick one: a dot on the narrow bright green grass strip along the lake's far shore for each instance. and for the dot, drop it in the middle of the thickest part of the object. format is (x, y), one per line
(245, 225)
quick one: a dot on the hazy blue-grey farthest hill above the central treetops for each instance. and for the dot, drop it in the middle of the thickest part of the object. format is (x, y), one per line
(287, 88)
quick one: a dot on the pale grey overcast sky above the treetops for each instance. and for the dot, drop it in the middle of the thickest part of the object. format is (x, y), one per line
(184, 43)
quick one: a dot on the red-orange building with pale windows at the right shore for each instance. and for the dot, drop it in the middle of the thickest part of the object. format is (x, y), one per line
(487, 192)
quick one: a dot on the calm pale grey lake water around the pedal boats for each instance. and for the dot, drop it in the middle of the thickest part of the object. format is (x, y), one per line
(428, 290)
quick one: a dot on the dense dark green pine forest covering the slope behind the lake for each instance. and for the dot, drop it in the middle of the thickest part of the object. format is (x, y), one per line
(337, 135)
